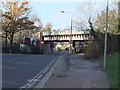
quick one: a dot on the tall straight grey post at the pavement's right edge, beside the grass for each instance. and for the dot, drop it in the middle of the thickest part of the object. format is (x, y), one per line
(106, 28)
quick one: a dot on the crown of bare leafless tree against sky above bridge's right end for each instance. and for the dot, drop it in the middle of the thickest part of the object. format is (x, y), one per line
(87, 13)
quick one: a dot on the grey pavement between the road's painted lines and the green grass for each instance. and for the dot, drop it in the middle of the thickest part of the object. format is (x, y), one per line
(78, 72)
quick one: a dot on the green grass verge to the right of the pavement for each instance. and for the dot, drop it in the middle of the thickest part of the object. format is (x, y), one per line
(112, 70)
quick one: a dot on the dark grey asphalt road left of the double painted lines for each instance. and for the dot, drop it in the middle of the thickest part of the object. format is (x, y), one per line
(18, 69)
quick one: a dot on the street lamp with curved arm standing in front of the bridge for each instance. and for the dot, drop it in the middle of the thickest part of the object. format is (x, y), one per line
(70, 41)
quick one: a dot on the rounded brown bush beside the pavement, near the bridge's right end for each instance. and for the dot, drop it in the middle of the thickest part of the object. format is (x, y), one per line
(92, 50)
